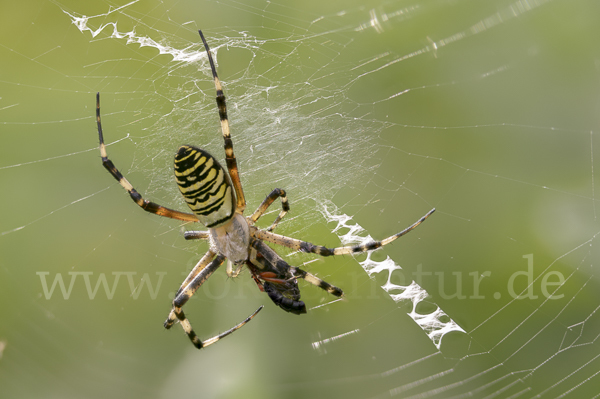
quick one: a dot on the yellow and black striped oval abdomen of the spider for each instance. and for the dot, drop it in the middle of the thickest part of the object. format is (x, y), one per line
(205, 186)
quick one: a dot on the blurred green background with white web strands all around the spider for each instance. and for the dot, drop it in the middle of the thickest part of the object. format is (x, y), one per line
(368, 114)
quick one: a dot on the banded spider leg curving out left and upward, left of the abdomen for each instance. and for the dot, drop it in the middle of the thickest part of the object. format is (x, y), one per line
(146, 205)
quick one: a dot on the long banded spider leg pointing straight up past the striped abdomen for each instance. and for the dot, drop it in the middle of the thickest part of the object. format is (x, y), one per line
(229, 156)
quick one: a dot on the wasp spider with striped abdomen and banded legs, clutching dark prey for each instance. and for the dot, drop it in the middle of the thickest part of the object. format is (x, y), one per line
(216, 199)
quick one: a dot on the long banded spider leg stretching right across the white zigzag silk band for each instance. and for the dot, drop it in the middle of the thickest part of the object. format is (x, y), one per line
(304, 246)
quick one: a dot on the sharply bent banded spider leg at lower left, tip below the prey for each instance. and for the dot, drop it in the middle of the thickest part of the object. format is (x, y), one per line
(186, 293)
